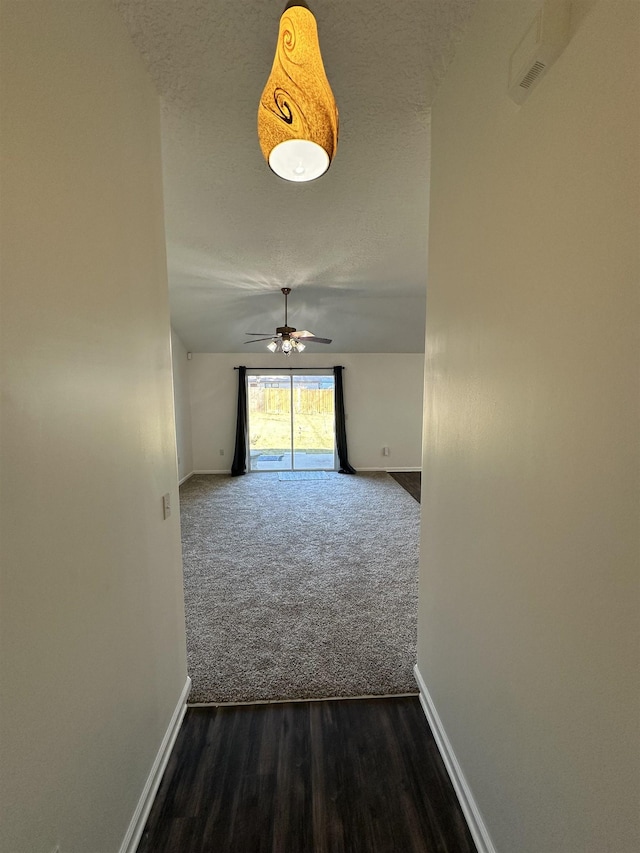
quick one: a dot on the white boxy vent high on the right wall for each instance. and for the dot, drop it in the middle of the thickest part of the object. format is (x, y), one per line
(541, 45)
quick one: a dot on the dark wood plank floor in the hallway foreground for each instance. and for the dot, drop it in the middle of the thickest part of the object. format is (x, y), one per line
(346, 776)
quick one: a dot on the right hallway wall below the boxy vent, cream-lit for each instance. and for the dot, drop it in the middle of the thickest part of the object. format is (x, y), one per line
(528, 629)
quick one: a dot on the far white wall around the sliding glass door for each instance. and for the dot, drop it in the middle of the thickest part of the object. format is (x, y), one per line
(383, 403)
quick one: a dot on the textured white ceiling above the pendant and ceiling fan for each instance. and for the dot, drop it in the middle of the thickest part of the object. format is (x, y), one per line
(351, 245)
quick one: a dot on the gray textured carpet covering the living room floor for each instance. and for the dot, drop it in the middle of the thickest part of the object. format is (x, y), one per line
(299, 590)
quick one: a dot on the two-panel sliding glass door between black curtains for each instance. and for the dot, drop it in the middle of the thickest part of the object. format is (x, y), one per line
(291, 421)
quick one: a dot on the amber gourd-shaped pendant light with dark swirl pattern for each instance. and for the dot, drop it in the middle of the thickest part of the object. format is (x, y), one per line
(297, 116)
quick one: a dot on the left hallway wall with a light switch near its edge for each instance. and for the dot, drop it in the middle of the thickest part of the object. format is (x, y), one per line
(93, 649)
